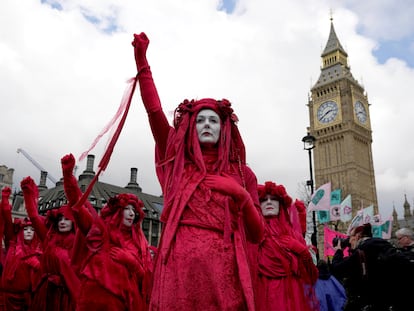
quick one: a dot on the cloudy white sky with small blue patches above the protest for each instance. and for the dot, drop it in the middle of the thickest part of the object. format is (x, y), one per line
(64, 66)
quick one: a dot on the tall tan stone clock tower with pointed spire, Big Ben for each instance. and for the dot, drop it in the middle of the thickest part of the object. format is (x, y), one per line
(340, 122)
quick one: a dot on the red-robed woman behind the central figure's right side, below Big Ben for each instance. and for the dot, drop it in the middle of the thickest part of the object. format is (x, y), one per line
(286, 270)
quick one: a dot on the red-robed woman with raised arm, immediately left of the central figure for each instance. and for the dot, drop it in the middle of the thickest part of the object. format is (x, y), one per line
(117, 257)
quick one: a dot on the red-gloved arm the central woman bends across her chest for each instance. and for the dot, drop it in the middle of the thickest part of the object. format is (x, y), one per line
(228, 185)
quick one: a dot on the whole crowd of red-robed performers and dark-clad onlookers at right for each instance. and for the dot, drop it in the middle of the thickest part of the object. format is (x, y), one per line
(227, 243)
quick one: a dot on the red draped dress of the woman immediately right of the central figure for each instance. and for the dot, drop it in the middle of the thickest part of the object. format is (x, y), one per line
(286, 279)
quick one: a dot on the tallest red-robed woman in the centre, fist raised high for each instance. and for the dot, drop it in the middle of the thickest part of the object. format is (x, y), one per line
(211, 206)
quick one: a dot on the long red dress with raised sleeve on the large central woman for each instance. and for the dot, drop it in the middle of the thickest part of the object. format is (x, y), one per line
(203, 256)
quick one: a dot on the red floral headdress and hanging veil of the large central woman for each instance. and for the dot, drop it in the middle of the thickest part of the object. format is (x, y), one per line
(184, 145)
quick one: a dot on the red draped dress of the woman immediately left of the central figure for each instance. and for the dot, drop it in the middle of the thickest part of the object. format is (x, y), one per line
(107, 284)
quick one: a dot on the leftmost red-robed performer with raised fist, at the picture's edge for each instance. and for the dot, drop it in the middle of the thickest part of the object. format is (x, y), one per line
(21, 267)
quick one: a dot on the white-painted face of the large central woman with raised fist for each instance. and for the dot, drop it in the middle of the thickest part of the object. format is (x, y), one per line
(208, 126)
